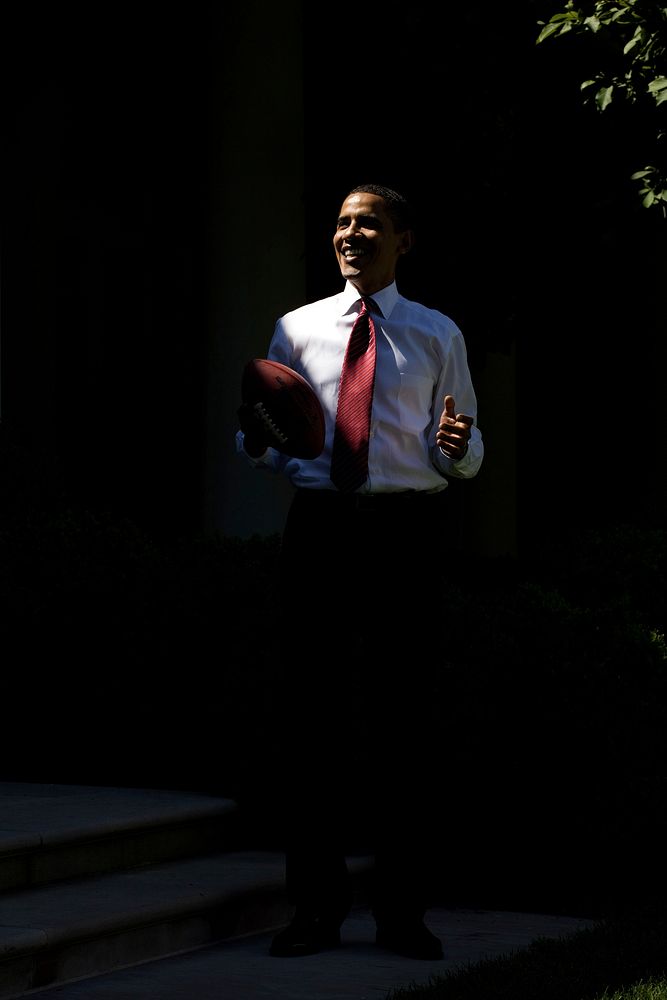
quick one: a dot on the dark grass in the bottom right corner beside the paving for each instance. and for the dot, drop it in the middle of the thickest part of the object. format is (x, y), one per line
(621, 957)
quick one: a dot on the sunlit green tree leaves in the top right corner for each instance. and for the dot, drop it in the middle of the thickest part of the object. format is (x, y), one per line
(631, 53)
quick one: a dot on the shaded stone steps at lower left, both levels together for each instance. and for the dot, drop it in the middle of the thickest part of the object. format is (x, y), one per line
(94, 879)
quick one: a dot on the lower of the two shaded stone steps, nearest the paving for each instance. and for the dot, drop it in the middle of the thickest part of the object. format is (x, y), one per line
(69, 930)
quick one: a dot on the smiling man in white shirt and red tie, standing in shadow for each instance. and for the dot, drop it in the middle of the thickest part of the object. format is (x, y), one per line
(363, 566)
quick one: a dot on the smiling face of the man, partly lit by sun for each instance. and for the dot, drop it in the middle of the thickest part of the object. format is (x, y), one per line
(366, 243)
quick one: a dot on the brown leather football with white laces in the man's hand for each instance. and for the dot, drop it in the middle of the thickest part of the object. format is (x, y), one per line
(287, 406)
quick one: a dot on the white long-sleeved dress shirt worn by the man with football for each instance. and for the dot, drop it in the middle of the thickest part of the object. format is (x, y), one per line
(421, 357)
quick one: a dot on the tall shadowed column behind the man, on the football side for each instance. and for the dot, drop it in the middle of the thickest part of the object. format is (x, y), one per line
(257, 235)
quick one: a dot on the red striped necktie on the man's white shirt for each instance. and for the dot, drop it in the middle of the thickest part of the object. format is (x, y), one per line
(349, 459)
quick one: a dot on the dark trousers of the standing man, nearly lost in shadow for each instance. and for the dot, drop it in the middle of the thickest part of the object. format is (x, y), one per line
(360, 593)
